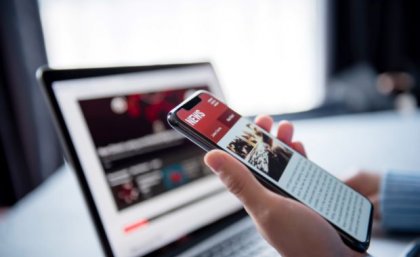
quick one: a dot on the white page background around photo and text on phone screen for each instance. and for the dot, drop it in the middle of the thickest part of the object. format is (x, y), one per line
(292, 168)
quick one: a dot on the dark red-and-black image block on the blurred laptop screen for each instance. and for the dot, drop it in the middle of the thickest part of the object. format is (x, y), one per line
(138, 150)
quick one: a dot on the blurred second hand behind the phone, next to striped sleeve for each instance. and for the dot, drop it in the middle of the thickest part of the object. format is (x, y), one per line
(367, 183)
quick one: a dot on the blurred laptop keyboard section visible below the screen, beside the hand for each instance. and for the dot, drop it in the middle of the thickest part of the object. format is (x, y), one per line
(246, 243)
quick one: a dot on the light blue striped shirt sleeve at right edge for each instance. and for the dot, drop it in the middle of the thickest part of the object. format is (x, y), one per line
(400, 201)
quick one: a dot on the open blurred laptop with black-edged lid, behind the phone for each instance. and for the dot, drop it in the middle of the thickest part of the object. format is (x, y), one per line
(147, 189)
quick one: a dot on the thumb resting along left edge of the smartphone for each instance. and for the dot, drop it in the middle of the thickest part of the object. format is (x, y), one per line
(238, 180)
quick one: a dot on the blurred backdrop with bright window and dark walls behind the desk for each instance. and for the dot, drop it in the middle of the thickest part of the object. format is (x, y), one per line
(299, 59)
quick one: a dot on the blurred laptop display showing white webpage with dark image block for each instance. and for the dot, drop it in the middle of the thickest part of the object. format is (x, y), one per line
(148, 183)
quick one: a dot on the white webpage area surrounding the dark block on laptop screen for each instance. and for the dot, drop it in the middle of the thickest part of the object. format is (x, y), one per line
(167, 228)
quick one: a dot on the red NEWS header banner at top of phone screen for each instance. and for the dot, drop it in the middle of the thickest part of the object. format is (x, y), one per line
(210, 117)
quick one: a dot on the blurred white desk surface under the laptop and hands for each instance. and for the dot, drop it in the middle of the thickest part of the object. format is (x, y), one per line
(53, 220)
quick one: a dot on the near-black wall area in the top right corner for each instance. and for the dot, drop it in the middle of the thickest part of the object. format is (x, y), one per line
(384, 34)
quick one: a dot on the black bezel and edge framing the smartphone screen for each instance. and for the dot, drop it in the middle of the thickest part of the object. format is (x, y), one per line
(206, 144)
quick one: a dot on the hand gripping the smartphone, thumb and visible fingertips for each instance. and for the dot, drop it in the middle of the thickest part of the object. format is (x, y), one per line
(290, 227)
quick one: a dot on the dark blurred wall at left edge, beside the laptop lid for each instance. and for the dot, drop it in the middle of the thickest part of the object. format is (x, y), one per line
(29, 148)
